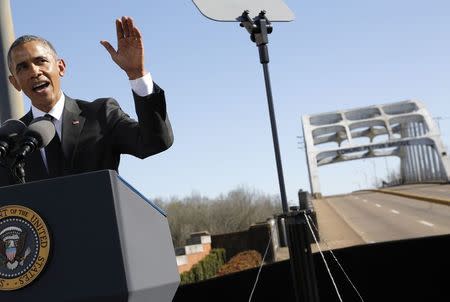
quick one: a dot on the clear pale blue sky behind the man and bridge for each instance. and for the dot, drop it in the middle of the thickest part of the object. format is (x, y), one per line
(335, 55)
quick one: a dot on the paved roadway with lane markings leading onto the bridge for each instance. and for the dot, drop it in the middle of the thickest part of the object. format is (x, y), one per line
(369, 217)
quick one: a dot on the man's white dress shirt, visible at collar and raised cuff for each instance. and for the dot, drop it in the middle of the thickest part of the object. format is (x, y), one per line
(141, 86)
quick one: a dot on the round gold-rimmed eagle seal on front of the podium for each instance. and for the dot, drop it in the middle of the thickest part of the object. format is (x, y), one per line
(24, 246)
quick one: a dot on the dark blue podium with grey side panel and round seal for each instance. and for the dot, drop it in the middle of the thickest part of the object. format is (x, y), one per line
(107, 242)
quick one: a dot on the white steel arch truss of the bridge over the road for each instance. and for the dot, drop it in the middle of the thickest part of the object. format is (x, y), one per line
(403, 129)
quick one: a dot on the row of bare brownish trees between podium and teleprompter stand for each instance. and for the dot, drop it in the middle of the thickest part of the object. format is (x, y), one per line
(233, 212)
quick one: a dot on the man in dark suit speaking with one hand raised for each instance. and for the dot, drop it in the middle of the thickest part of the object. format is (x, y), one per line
(90, 135)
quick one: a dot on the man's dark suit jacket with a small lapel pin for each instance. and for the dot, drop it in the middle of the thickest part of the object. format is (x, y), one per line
(94, 134)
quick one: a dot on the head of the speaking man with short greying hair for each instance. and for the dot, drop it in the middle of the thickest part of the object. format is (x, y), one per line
(36, 70)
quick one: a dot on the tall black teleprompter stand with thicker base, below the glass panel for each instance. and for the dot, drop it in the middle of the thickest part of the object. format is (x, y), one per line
(302, 264)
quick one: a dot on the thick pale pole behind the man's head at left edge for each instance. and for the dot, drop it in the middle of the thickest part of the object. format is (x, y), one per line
(11, 101)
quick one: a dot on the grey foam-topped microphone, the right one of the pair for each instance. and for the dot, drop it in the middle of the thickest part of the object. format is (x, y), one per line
(38, 135)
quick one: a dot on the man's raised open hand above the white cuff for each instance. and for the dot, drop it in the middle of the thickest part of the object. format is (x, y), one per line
(130, 48)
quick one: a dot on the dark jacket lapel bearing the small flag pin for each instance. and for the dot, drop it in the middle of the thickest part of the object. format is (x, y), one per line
(72, 125)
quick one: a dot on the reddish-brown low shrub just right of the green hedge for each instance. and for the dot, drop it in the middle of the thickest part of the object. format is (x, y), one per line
(205, 268)
